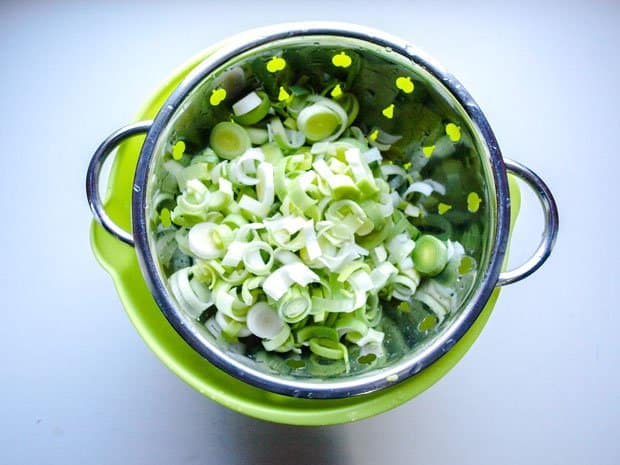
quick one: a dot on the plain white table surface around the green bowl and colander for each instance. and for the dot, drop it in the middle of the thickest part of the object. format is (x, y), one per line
(78, 385)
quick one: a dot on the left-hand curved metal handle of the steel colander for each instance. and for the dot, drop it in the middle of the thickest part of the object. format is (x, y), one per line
(94, 170)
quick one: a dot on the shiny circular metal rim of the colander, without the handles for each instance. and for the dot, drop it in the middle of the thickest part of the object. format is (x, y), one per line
(366, 382)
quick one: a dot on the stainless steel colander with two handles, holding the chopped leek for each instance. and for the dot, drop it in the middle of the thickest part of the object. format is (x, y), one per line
(379, 69)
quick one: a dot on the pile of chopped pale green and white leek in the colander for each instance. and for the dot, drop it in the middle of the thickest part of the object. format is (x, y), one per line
(290, 227)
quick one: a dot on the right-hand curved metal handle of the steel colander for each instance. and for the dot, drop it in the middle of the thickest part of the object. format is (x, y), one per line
(550, 211)
